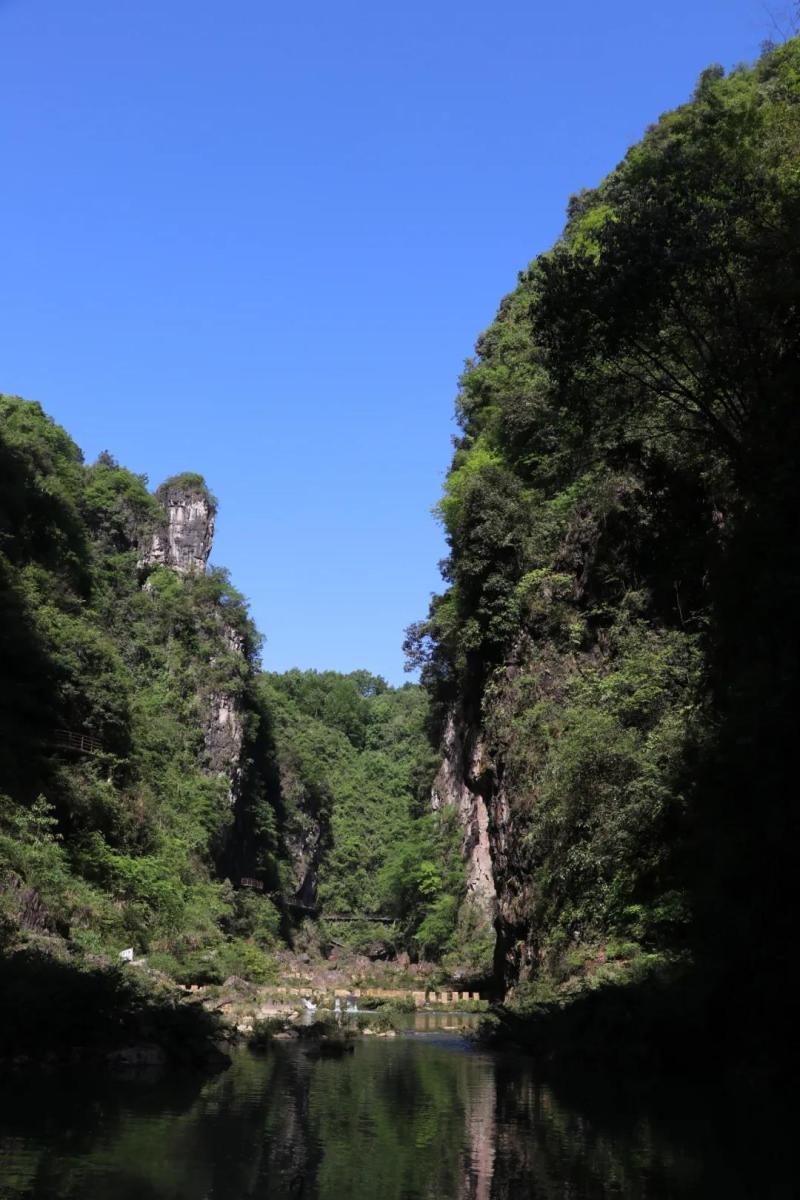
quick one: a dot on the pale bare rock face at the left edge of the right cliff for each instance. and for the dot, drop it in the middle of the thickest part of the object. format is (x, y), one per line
(462, 782)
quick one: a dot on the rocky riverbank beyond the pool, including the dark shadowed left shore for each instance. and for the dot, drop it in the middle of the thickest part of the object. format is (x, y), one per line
(58, 1010)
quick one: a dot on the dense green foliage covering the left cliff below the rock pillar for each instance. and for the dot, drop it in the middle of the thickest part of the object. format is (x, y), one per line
(130, 844)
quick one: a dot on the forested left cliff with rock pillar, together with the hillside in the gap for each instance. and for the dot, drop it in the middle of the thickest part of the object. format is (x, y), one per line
(148, 766)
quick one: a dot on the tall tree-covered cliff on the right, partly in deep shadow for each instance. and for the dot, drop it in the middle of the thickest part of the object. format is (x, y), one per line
(613, 664)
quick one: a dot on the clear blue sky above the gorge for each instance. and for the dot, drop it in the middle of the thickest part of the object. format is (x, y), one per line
(258, 241)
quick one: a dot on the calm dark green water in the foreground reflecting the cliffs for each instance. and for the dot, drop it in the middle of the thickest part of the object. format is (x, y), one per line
(419, 1118)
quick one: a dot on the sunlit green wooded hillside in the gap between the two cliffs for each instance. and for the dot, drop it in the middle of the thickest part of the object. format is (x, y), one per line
(357, 770)
